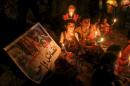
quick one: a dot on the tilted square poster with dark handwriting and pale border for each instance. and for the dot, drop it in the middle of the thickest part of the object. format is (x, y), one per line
(34, 52)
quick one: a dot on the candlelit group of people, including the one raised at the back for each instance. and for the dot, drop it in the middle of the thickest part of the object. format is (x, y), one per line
(82, 31)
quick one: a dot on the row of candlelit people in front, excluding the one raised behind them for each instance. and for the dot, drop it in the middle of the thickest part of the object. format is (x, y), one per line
(86, 33)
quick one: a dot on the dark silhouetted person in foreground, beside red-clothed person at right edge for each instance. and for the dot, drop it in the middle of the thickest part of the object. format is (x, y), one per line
(104, 74)
